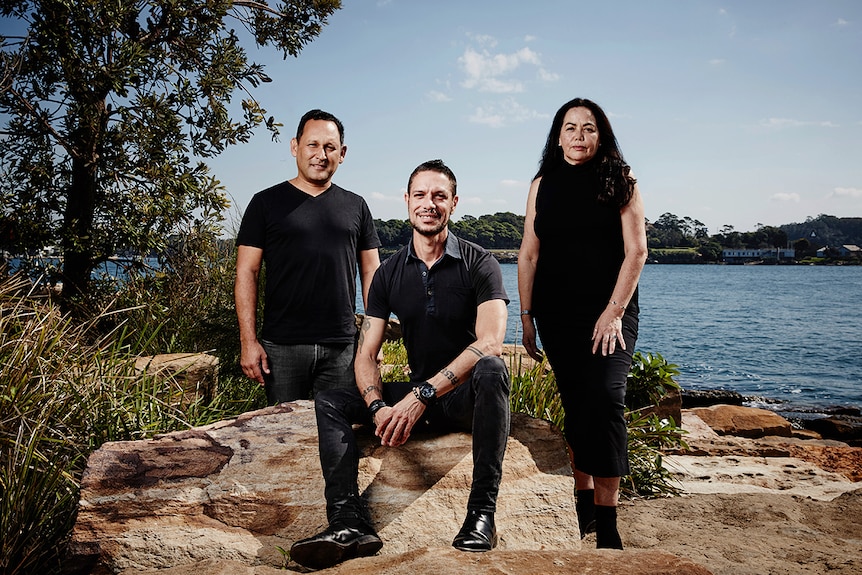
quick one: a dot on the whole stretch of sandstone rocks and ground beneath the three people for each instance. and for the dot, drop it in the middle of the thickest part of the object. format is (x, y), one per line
(759, 497)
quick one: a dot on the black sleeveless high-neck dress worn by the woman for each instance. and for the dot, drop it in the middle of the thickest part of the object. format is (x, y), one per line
(580, 254)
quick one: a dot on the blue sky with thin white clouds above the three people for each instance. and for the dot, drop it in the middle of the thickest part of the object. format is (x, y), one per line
(730, 112)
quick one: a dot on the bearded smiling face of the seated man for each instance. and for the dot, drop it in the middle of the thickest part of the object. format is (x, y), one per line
(430, 202)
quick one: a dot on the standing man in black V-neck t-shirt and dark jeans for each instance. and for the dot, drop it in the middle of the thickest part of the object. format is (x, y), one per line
(309, 235)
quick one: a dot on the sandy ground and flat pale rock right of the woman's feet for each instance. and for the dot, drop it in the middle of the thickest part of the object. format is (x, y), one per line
(753, 515)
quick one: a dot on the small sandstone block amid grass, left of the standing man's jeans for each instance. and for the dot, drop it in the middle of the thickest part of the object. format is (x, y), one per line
(192, 374)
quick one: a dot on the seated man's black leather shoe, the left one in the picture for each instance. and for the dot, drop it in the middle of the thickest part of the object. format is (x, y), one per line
(336, 544)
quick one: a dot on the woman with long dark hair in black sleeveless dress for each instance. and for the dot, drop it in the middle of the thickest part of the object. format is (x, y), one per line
(584, 201)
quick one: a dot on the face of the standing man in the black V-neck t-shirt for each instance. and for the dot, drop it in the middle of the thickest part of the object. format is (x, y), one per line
(318, 152)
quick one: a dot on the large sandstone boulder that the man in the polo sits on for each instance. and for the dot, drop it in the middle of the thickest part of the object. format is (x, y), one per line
(241, 489)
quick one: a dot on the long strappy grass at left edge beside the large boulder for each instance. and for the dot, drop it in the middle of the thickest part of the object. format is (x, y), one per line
(66, 388)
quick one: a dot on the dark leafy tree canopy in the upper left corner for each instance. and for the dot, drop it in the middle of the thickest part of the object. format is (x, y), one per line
(111, 107)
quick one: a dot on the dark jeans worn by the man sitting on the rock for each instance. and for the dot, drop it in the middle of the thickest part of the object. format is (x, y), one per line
(479, 405)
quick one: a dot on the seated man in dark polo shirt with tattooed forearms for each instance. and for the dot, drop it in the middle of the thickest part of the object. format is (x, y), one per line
(448, 295)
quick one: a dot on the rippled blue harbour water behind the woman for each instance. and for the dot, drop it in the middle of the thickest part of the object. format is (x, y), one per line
(787, 334)
